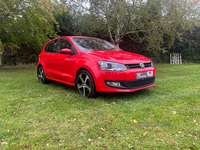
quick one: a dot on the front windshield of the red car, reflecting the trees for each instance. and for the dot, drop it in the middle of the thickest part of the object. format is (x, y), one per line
(93, 44)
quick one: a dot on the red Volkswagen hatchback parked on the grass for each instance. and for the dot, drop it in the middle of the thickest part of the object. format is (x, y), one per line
(93, 65)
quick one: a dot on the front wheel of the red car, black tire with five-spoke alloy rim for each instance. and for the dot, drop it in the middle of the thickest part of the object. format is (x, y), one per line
(85, 85)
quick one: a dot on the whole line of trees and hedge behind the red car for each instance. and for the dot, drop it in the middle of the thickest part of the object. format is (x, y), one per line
(153, 28)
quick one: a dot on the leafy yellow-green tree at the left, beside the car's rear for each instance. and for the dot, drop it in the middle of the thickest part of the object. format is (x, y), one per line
(26, 22)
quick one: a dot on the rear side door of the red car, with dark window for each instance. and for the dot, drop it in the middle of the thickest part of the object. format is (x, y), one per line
(50, 57)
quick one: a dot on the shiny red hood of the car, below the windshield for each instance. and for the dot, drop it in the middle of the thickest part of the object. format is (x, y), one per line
(116, 56)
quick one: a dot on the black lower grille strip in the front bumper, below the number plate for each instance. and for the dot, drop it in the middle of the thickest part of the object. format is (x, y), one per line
(133, 84)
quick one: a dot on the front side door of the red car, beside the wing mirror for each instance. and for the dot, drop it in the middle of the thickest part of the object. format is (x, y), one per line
(66, 62)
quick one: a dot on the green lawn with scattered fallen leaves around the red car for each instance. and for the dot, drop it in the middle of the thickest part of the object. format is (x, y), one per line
(54, 116)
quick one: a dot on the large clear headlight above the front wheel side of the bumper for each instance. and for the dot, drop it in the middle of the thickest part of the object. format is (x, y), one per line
(111, 66)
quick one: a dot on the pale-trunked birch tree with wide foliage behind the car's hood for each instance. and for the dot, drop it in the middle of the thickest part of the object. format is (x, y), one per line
(156, 23)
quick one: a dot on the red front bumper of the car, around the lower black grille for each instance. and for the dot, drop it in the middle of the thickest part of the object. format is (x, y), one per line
(125, 81)
